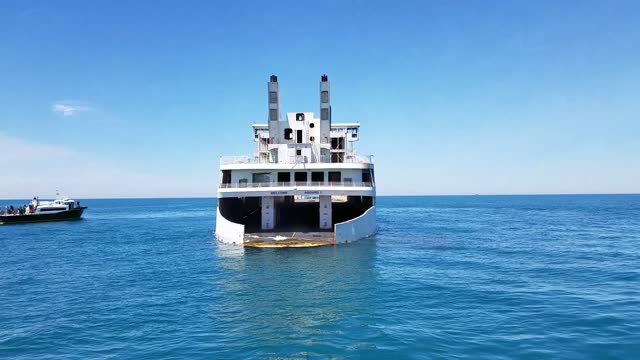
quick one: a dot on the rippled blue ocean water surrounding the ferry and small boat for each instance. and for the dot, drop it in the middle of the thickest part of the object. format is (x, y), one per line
(446, 277)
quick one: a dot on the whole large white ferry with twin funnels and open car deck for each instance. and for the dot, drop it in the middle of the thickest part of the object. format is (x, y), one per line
(305, 185)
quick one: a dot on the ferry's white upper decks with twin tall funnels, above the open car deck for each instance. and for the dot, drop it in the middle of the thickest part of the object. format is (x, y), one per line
(299, 153)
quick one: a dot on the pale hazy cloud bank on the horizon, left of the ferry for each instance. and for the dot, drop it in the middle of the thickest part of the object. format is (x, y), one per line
(33, 168)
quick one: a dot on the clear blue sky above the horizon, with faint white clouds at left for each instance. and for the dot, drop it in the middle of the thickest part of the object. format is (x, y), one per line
(139, 99)
